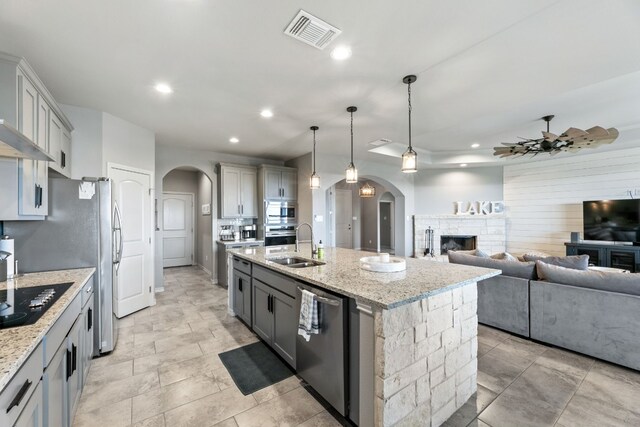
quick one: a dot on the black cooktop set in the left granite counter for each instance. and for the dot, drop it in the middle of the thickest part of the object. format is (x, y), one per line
(29, 304)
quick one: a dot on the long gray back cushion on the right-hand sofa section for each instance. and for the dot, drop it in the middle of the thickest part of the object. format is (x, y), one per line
(625, 283)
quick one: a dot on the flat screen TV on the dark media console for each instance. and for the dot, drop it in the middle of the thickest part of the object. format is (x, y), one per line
(612, 220)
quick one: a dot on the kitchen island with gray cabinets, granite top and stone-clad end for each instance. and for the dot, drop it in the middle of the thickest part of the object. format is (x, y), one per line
(410, 337)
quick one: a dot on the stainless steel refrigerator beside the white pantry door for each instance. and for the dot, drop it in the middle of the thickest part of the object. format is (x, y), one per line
(81, 230)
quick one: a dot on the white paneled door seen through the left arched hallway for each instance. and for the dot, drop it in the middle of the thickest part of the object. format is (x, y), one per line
(177, 227)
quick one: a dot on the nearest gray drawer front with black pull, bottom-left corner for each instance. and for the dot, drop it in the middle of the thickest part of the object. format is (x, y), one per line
(16, 394)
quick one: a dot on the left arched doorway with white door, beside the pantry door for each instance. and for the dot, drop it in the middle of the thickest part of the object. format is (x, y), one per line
(185, 218)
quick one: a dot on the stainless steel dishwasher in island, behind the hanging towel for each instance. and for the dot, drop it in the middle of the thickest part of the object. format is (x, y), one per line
(322, 362)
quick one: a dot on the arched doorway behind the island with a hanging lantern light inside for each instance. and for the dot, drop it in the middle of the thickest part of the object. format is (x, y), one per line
(371, 224)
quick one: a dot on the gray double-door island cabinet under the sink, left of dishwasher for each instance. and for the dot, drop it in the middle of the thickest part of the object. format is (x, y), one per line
(275, 320)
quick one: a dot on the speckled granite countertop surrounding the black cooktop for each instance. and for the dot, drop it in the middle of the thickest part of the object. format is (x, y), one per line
(16, 344)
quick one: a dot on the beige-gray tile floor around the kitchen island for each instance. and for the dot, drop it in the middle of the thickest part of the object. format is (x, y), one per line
(165, 372)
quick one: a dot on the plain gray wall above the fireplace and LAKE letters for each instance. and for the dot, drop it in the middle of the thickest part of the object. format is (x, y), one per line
(436, 190)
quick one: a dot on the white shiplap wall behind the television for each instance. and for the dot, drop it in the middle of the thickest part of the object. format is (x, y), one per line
(544, 199)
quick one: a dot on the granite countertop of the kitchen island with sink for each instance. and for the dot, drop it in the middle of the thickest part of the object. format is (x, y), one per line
(342, 274)
